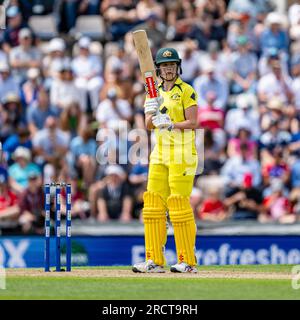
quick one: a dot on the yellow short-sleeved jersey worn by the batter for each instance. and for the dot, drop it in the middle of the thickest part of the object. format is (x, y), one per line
(176, 144)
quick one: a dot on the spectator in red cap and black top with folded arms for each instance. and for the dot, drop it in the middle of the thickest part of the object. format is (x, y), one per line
(244, 201)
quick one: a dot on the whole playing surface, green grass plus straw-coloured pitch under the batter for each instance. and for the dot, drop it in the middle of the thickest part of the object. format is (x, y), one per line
(212, 282)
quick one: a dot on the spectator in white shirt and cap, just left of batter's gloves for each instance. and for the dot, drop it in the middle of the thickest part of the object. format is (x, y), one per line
(112, 109)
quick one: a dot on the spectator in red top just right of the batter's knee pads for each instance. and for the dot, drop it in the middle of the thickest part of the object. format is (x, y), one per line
(213, 208)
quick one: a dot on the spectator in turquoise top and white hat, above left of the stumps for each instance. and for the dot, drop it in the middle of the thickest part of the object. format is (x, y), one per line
(19, 171)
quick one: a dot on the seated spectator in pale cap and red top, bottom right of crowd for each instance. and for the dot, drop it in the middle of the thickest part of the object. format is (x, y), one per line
(276, 206)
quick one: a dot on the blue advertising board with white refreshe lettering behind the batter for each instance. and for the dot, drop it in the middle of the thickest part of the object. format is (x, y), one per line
(19, 251)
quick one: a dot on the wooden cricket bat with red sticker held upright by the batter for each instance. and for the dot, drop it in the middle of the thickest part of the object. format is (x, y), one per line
(146, 63)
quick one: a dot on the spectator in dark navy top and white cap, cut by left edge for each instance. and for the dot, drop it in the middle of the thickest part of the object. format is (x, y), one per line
(11, 115)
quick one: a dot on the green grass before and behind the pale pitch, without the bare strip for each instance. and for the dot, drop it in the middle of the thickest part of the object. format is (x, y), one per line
(142, 288)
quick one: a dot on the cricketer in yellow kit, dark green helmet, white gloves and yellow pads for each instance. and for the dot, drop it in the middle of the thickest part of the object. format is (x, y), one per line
(173, 164)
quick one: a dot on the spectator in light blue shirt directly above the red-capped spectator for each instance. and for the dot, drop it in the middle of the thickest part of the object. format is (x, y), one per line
(236, 167)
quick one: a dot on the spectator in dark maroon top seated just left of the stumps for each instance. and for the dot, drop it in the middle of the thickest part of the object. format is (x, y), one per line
(32, 206)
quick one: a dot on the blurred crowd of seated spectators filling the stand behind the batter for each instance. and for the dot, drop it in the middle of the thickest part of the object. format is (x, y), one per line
(58, 97)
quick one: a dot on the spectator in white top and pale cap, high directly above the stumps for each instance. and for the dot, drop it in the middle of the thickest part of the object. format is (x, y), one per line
(63, 91)
